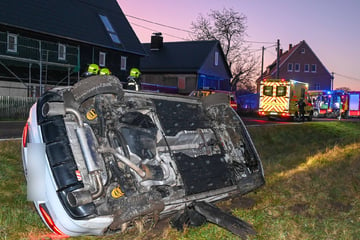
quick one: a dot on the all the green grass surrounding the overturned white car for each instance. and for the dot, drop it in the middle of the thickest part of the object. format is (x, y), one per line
(312, 189)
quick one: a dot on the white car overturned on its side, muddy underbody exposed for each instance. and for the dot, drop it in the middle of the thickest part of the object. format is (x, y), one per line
(99, 159)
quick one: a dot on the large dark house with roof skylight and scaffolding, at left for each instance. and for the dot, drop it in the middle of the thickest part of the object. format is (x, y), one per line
(44, 43)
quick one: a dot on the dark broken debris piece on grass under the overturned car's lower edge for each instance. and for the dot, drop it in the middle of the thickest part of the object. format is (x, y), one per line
(199, 212)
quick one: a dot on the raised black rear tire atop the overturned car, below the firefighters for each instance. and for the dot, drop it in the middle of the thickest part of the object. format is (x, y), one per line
(95, 85)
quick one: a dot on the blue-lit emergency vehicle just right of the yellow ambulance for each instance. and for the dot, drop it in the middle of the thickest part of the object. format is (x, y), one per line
(327, 103)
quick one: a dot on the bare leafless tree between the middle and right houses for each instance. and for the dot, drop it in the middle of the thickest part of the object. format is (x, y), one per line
(229, 28)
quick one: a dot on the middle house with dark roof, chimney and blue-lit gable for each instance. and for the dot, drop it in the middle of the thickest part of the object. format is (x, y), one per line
(181, 67)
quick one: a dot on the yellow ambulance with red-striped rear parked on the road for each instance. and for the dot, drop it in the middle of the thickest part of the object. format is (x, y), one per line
(279, 98)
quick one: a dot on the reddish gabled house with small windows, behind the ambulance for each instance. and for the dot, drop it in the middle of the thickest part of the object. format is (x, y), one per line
(300, 63)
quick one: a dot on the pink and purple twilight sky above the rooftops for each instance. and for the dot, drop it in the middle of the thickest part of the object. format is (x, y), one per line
(330, 27)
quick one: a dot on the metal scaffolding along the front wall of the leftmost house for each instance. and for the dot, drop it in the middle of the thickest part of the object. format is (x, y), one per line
(37, 64)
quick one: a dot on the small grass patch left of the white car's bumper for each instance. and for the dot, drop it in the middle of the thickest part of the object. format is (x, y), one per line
(17, 216)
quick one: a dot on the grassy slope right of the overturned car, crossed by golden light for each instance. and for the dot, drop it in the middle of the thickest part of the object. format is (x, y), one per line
(313, 182)
